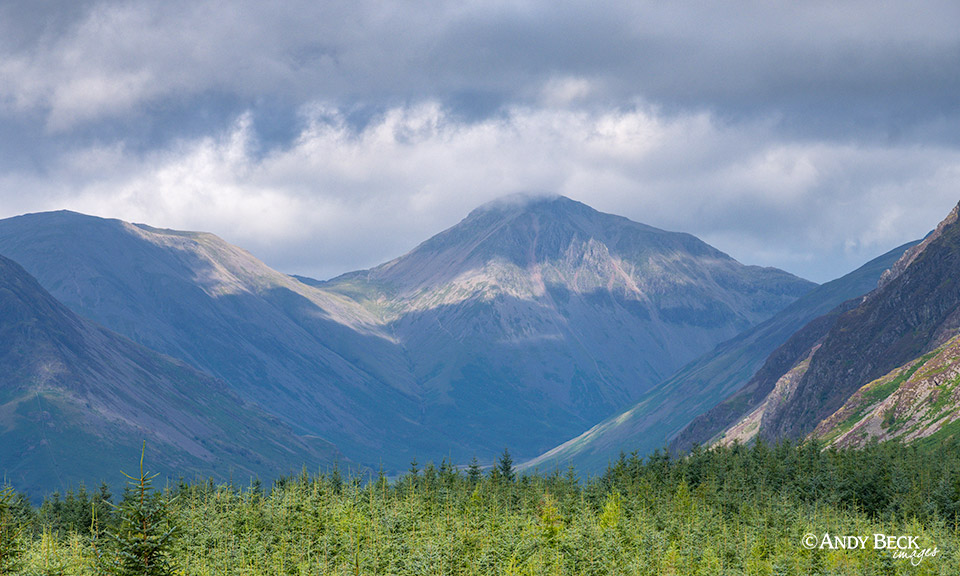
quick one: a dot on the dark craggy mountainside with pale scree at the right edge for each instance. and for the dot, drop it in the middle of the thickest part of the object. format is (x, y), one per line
(870, 347)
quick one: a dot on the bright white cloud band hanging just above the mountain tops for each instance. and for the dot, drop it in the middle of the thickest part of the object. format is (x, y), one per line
(340, 197)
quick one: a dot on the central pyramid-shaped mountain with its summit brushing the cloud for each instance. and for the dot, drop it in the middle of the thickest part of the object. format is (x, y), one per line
(543, 314)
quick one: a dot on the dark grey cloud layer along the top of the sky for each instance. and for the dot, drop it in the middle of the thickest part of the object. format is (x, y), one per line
(831, 68)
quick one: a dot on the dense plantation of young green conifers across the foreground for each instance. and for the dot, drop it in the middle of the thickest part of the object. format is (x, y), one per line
(734, 510)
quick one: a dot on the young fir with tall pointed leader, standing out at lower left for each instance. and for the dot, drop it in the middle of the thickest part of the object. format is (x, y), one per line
(140, 544)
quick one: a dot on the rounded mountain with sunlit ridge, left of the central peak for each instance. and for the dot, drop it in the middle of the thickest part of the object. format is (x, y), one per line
(314, 359)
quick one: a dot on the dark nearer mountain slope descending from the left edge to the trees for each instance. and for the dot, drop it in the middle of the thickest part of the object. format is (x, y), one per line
(76, 401)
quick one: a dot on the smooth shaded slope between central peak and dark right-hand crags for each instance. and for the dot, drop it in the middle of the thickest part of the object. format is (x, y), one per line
(662, 413)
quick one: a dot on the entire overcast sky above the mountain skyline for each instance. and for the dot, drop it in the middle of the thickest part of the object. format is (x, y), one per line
(327, 136)
